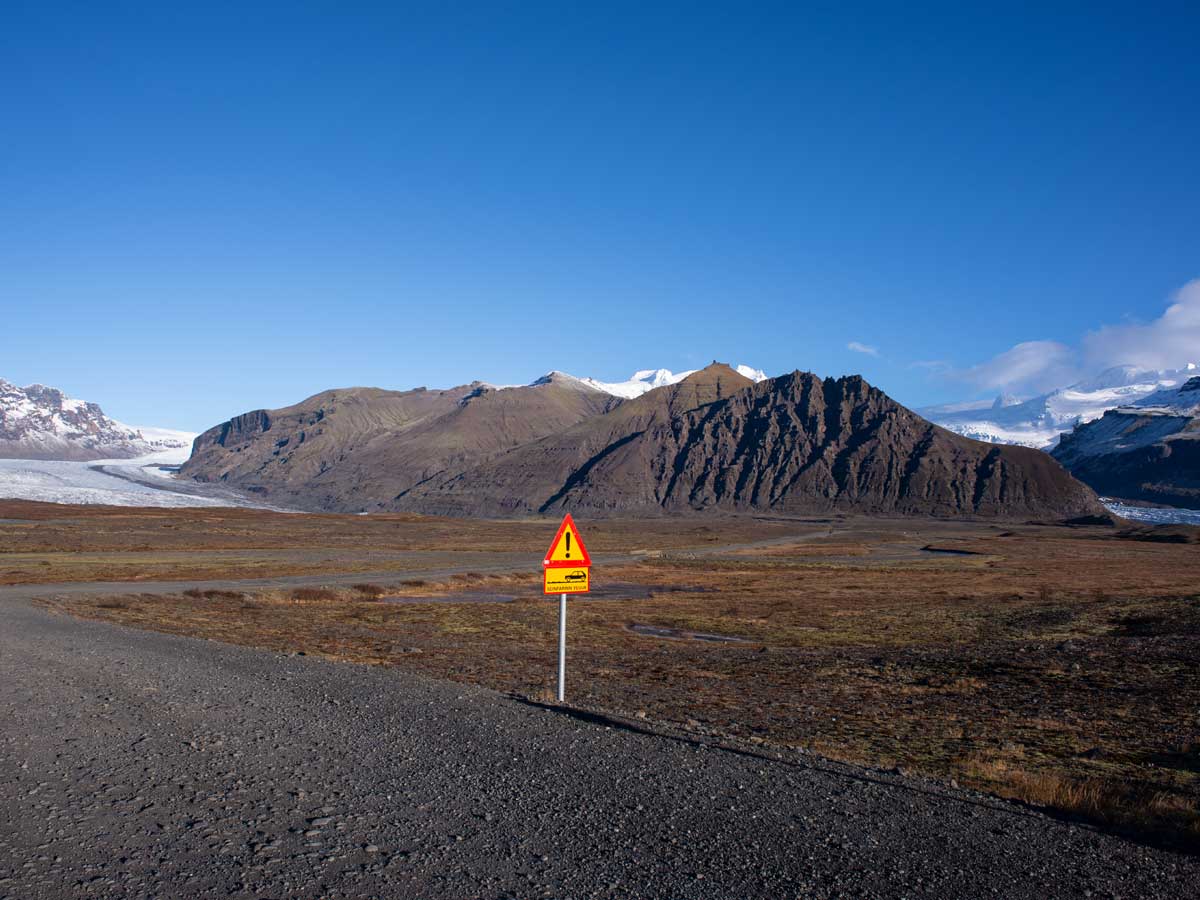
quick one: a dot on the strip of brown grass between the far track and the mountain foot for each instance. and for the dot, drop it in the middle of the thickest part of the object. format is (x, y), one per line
(43, 543)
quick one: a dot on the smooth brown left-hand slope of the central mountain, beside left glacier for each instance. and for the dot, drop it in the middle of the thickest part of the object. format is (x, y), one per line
(361, 448)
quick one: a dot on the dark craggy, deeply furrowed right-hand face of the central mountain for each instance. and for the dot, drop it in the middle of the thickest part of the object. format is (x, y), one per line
(800, 445)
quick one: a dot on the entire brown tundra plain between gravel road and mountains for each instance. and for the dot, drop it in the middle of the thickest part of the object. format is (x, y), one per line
(1058, 667)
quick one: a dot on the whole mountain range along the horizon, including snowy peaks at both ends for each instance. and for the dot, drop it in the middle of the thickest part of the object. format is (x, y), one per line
(725, 439)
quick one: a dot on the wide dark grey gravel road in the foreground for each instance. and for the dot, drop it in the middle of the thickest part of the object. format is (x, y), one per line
(141, 765)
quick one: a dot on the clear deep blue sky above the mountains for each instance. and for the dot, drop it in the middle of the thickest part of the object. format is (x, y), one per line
(207, 208)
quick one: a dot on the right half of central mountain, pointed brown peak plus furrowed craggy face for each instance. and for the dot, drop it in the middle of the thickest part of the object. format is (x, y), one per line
(790, 445)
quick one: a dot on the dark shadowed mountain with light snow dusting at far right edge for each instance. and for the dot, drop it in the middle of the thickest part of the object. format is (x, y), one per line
(1150, 453)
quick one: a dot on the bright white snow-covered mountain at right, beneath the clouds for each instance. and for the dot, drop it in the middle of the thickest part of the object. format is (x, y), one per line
(1042, 421)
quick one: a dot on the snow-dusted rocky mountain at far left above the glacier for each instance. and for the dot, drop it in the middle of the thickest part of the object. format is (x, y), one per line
(40, 423)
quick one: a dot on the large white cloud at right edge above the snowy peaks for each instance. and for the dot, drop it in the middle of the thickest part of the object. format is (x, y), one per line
(1171, 341)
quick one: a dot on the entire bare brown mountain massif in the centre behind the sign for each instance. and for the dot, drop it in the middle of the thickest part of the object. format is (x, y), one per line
(713, 442)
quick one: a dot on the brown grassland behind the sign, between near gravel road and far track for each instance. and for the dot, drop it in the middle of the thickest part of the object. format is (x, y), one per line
(1055, 667)
